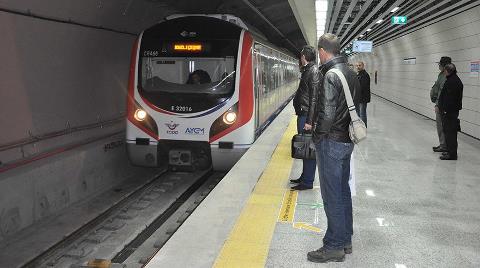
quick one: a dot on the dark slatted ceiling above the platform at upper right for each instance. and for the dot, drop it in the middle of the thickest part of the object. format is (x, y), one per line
(349, 19)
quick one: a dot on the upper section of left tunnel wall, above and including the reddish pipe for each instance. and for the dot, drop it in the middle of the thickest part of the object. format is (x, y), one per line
(57, 76)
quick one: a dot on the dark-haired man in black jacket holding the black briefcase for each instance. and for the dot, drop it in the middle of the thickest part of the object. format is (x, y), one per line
(302, 103)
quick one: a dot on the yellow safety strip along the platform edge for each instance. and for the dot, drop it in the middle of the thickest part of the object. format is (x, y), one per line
(249, 241)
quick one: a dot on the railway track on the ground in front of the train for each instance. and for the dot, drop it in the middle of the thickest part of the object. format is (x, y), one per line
(117, 234)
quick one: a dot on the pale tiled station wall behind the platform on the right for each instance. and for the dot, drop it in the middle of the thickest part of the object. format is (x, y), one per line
(409, 84)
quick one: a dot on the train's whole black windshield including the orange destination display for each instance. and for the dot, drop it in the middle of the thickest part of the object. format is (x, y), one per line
(187, 76)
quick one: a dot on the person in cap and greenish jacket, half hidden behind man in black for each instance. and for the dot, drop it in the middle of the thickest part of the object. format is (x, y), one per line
(434, 97)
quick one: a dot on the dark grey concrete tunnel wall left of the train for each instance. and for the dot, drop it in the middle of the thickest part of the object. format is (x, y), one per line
(61, 72)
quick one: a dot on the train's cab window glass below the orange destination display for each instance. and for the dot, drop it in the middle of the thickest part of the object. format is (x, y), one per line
(168, 82)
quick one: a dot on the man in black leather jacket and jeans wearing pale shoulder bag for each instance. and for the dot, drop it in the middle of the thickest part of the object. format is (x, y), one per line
(334, 148)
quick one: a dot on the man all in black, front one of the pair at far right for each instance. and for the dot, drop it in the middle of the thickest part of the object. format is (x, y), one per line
(449, 105)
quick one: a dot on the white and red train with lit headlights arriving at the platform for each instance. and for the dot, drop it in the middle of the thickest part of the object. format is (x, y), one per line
(201, 90)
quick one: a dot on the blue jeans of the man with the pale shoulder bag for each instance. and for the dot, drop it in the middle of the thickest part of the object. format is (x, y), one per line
(333, 160)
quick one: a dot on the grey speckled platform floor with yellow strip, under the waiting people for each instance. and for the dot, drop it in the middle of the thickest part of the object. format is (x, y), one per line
(411, 209)
